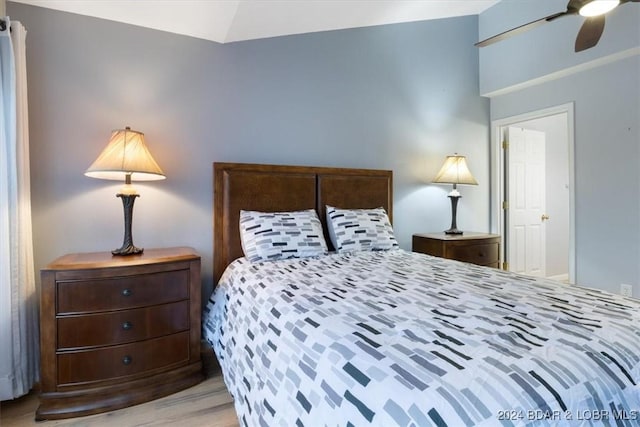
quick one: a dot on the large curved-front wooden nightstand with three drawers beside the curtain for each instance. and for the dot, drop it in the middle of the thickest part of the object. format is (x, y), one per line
(116, 331)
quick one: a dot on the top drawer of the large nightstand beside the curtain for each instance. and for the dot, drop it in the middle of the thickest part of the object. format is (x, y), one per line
(122, 292)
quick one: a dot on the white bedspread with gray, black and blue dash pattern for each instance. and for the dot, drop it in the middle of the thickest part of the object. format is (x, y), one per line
(400, 338)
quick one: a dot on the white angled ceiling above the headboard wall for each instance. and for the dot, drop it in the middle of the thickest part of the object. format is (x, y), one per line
(226, 21)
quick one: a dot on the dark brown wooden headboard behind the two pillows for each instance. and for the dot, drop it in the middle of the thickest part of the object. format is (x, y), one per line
(274, 188)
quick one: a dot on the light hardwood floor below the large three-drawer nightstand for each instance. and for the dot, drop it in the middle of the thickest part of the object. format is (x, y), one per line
(206, 404)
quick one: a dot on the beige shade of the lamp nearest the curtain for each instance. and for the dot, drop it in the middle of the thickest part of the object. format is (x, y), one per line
(126, 154)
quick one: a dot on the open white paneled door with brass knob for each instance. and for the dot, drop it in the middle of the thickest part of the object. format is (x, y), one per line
(526, 216)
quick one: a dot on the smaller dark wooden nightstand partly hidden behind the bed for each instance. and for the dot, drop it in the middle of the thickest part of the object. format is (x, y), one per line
(476, 248)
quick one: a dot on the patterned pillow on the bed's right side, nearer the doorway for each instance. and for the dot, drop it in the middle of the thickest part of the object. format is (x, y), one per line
(360, 230)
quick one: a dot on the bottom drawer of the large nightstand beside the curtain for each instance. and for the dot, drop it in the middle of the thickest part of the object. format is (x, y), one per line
(123, 360)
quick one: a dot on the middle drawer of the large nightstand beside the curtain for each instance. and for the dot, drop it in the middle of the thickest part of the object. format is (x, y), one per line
(122, 326)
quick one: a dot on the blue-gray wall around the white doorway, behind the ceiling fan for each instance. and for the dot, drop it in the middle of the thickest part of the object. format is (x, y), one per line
(604, 85)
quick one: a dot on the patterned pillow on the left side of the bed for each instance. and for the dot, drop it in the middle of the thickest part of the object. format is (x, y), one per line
(267, 236)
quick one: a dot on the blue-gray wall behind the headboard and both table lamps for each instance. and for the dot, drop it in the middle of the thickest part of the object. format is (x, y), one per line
(398, 97)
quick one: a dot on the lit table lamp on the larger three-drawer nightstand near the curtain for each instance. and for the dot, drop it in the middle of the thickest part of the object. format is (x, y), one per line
(127, 158)
